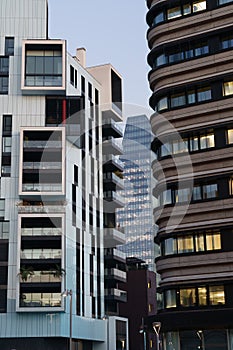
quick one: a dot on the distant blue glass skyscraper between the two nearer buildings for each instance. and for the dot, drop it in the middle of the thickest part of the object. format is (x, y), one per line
(136, 215)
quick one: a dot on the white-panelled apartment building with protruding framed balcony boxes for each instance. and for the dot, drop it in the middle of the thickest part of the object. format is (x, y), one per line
(52, 236)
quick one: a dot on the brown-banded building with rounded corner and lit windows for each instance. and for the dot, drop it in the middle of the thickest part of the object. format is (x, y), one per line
(191, 79)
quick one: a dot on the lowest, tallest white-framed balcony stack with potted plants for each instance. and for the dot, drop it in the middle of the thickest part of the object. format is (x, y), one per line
(40, 262)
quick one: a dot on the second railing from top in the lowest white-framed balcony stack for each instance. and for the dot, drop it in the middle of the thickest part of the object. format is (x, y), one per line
(35, 254)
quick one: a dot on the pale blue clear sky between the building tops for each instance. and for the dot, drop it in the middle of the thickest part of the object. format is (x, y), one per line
(112, 31)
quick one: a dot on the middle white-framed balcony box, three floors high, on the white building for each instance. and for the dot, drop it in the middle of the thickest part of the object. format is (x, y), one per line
(42, 155)
